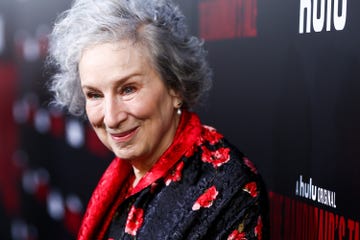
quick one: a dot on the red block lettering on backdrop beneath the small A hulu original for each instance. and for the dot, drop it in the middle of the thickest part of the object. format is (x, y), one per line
(296, 220)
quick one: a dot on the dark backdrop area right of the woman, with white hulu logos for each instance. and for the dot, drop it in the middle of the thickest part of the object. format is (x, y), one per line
(287, 92)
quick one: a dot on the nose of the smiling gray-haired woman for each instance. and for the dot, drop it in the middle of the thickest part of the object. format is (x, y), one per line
(114, 112)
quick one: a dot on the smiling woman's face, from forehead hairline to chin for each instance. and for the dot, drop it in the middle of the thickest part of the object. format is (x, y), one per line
(131, 110)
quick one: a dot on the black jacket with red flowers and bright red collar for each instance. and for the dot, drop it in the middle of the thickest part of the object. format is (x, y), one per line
(202, 187)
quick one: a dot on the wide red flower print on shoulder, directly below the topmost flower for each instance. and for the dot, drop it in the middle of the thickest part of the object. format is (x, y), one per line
(217, 157)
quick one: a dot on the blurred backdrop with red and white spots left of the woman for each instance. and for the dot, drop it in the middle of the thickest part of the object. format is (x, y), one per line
(49, 161)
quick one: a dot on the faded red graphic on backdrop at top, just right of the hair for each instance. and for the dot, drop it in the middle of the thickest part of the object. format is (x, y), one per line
(227, 19)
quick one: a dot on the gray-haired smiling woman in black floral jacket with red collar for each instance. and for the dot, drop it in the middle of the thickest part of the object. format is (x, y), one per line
(132, 69)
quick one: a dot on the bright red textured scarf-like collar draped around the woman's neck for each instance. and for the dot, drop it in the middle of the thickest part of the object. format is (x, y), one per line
(113, 186)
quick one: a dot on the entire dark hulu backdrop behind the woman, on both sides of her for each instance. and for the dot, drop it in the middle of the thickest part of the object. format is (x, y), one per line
(286, 92)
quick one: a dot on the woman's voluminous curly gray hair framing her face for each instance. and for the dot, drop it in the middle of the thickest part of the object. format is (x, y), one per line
(156, 24)
